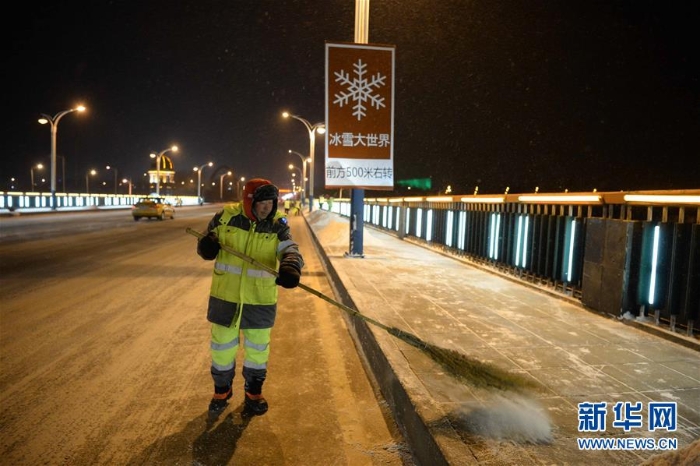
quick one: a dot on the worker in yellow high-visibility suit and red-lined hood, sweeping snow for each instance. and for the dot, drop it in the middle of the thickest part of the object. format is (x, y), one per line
(243, 296)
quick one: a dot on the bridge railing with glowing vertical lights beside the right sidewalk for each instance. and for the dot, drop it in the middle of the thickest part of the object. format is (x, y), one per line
(620, 253)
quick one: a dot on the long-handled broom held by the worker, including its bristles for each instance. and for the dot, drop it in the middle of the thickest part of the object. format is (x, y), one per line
(456, 364)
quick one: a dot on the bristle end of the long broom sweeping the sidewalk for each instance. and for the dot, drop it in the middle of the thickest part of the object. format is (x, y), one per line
(465, 369)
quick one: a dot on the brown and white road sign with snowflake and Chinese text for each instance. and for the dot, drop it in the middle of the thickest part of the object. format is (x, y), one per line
(359, 116)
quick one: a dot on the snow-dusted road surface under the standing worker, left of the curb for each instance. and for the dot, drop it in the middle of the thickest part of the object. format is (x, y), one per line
(104, 355)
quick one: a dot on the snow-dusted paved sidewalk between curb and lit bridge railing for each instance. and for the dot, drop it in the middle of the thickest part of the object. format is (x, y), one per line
(574, 355)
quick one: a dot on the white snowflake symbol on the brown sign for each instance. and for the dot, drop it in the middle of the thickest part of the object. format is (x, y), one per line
(359, 89)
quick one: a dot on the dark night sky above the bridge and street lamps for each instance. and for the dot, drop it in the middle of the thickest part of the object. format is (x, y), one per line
(552, 94)
